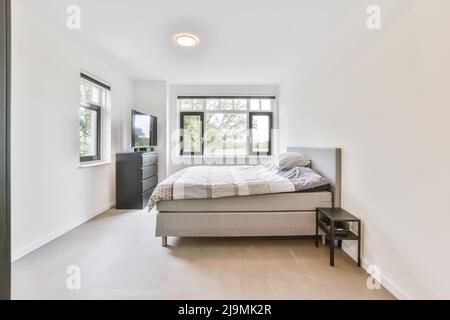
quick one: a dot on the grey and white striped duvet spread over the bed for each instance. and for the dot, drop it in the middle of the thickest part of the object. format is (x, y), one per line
(207, 182)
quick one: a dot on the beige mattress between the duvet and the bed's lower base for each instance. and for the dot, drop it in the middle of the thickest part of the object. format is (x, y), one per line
(293, 201)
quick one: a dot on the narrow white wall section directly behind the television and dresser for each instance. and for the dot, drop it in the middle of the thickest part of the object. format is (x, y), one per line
(151, 97)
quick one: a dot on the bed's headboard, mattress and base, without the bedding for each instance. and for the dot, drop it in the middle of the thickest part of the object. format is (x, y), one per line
(274, 214)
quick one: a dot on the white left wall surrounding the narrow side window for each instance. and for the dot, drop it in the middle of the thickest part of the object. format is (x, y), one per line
(50, 194)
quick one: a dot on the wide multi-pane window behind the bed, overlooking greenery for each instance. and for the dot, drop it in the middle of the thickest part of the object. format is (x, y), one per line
(225, 126)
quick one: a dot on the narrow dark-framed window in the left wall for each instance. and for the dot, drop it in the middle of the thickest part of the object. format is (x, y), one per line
(94, 97)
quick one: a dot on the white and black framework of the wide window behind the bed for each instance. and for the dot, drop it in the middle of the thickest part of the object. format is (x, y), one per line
(249, 112)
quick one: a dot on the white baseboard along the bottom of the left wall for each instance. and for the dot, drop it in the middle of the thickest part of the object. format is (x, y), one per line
(21, 252)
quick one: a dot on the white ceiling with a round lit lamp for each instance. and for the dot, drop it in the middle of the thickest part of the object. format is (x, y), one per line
(241, 41)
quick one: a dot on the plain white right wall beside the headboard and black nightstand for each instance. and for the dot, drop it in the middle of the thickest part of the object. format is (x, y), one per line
(384, 98)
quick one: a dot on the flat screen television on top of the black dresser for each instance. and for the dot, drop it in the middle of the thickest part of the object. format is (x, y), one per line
(143, 130)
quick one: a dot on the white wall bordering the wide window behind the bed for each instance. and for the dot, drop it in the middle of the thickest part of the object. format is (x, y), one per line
(177, 162)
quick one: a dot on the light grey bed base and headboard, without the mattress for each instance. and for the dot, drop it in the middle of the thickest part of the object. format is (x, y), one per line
(326, 161)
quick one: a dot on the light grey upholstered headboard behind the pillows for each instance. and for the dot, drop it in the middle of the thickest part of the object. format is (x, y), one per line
(327, 162)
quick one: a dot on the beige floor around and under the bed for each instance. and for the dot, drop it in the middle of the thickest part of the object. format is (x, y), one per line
(120, 258)
